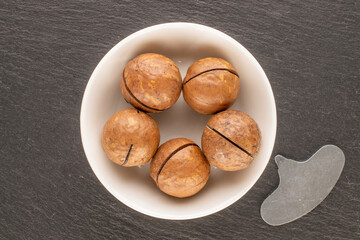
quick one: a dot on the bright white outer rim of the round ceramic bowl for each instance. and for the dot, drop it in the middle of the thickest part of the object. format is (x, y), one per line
(146, 30)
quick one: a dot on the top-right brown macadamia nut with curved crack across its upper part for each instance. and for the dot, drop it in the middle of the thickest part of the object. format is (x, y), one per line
(211, 85)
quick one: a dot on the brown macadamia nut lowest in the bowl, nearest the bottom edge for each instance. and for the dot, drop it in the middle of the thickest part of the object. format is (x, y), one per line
(179, 168)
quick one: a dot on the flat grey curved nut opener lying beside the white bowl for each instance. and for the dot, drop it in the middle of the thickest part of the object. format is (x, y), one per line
(303, 185)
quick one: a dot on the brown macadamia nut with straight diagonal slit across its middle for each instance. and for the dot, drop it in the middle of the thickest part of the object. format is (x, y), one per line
(231, 140)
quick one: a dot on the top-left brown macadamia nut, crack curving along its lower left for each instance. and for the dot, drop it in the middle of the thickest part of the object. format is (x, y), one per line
(151, 82)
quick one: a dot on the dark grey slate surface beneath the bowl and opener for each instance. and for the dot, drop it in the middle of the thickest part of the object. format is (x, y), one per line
(308, 49)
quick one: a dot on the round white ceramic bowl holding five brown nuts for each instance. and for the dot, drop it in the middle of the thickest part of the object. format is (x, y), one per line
(184, 43)
